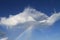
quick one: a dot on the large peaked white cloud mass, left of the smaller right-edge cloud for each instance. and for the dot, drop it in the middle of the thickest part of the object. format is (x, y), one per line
(27, 15)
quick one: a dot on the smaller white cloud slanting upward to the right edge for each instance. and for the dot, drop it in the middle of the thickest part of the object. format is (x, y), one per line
(52, 19)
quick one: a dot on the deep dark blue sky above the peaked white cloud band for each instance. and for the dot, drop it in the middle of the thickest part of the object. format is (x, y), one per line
(15, 6)
